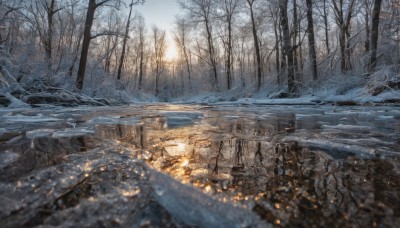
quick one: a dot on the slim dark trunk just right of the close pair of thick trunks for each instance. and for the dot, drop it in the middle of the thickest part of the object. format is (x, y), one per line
(311, 39)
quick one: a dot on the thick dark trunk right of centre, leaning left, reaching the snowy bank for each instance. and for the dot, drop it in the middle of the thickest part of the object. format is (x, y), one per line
(288, 47)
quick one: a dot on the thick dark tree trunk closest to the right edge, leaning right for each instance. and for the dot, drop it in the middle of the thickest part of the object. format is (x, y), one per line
(374, 35)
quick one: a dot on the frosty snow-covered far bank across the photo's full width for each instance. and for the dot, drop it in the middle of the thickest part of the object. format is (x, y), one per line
(339, 90)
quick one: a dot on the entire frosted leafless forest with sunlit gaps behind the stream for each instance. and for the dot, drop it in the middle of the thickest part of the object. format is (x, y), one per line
(99, 51)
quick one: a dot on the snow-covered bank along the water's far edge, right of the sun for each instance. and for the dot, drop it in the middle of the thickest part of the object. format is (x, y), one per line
(328, 94)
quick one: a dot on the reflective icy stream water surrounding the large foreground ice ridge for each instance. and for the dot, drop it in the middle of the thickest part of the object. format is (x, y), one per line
(292, 167)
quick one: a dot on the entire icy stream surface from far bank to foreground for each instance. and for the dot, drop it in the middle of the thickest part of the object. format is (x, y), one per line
(232, 166)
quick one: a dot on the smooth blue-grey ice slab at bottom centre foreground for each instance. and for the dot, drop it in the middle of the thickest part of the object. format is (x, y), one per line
(195, 208)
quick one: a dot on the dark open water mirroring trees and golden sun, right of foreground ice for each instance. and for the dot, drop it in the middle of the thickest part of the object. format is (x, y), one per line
(290, 184)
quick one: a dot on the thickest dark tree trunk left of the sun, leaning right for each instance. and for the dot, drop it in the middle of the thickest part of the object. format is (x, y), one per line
(85, 44)
